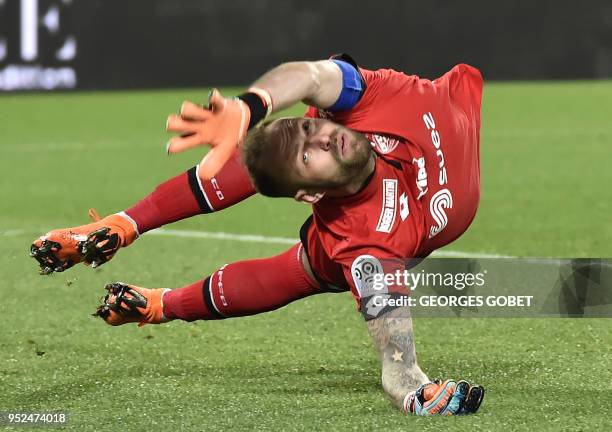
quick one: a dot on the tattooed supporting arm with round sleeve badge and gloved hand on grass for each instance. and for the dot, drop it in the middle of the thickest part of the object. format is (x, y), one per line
(391, 329)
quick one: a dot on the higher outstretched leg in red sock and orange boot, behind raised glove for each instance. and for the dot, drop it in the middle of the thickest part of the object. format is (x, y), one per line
(180, 197)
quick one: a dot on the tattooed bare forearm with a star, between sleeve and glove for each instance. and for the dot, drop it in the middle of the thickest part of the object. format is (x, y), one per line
(393, 336)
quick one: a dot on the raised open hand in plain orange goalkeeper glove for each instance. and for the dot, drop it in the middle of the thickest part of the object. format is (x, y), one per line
(222, 126)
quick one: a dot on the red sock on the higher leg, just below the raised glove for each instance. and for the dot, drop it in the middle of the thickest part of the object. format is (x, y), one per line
(187, 195)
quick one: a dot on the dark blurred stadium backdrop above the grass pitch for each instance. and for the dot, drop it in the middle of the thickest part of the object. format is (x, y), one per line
(168, 43)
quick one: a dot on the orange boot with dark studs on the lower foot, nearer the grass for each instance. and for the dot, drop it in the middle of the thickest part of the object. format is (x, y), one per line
(125, 304)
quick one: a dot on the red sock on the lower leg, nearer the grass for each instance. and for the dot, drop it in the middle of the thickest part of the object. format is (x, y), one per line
(243, 288)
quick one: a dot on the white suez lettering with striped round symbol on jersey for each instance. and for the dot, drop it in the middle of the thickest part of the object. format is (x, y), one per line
(442, 199)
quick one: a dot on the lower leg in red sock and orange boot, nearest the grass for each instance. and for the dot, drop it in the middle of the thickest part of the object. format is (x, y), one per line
(237, 289)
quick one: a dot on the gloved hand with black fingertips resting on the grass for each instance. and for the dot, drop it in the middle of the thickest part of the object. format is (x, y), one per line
(447, 398)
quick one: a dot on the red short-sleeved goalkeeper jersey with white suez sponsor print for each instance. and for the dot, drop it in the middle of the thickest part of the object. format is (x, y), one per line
(425, 189)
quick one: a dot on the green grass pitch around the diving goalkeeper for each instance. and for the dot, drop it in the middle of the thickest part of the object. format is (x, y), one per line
(546, 177)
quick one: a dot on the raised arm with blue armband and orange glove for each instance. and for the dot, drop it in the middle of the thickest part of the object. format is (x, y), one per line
(329, 84)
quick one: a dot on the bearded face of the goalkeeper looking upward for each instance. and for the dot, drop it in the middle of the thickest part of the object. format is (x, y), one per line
(325, 154)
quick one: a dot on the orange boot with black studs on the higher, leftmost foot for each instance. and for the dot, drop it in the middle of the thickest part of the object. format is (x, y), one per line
(94, 243)
